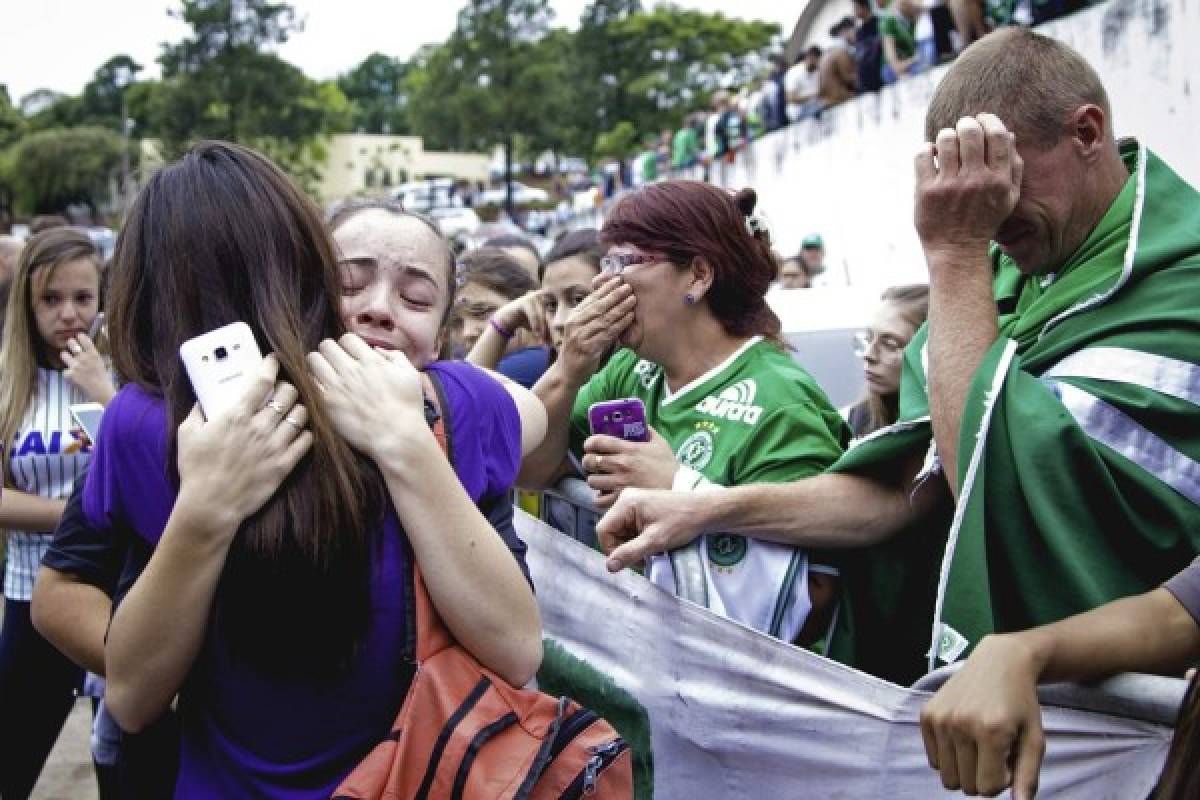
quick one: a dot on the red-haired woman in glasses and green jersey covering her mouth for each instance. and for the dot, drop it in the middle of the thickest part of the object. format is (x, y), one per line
(683, 294)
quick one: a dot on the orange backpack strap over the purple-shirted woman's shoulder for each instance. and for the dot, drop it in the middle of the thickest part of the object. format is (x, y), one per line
(428, 634)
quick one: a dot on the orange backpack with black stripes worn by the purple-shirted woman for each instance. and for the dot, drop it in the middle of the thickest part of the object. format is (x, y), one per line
(465, 733)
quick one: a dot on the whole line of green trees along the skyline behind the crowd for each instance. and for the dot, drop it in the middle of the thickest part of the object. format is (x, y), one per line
(505, 77)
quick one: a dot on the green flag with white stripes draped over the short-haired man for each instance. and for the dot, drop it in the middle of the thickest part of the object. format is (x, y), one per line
(1079, 453)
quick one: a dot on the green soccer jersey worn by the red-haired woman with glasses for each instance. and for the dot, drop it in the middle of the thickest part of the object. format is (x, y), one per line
(757, 419)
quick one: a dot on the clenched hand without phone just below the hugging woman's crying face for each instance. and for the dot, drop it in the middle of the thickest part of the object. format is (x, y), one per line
(374, 398)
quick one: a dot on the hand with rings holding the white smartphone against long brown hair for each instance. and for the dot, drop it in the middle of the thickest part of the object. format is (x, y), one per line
(232, 465)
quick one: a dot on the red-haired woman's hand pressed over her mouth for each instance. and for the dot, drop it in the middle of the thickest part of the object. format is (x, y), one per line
(596, 326)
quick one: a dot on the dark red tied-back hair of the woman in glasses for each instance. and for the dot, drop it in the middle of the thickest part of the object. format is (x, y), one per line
(689, 220)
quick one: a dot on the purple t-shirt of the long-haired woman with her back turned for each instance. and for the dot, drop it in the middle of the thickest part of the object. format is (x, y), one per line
(245, 735)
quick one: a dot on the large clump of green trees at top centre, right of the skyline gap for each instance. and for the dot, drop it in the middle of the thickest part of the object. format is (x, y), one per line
(505, 70)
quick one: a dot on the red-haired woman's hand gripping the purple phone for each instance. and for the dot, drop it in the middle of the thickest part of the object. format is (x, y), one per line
(615, 465)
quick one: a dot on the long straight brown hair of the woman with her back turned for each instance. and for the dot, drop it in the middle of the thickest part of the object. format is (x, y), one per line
(220, 237)
